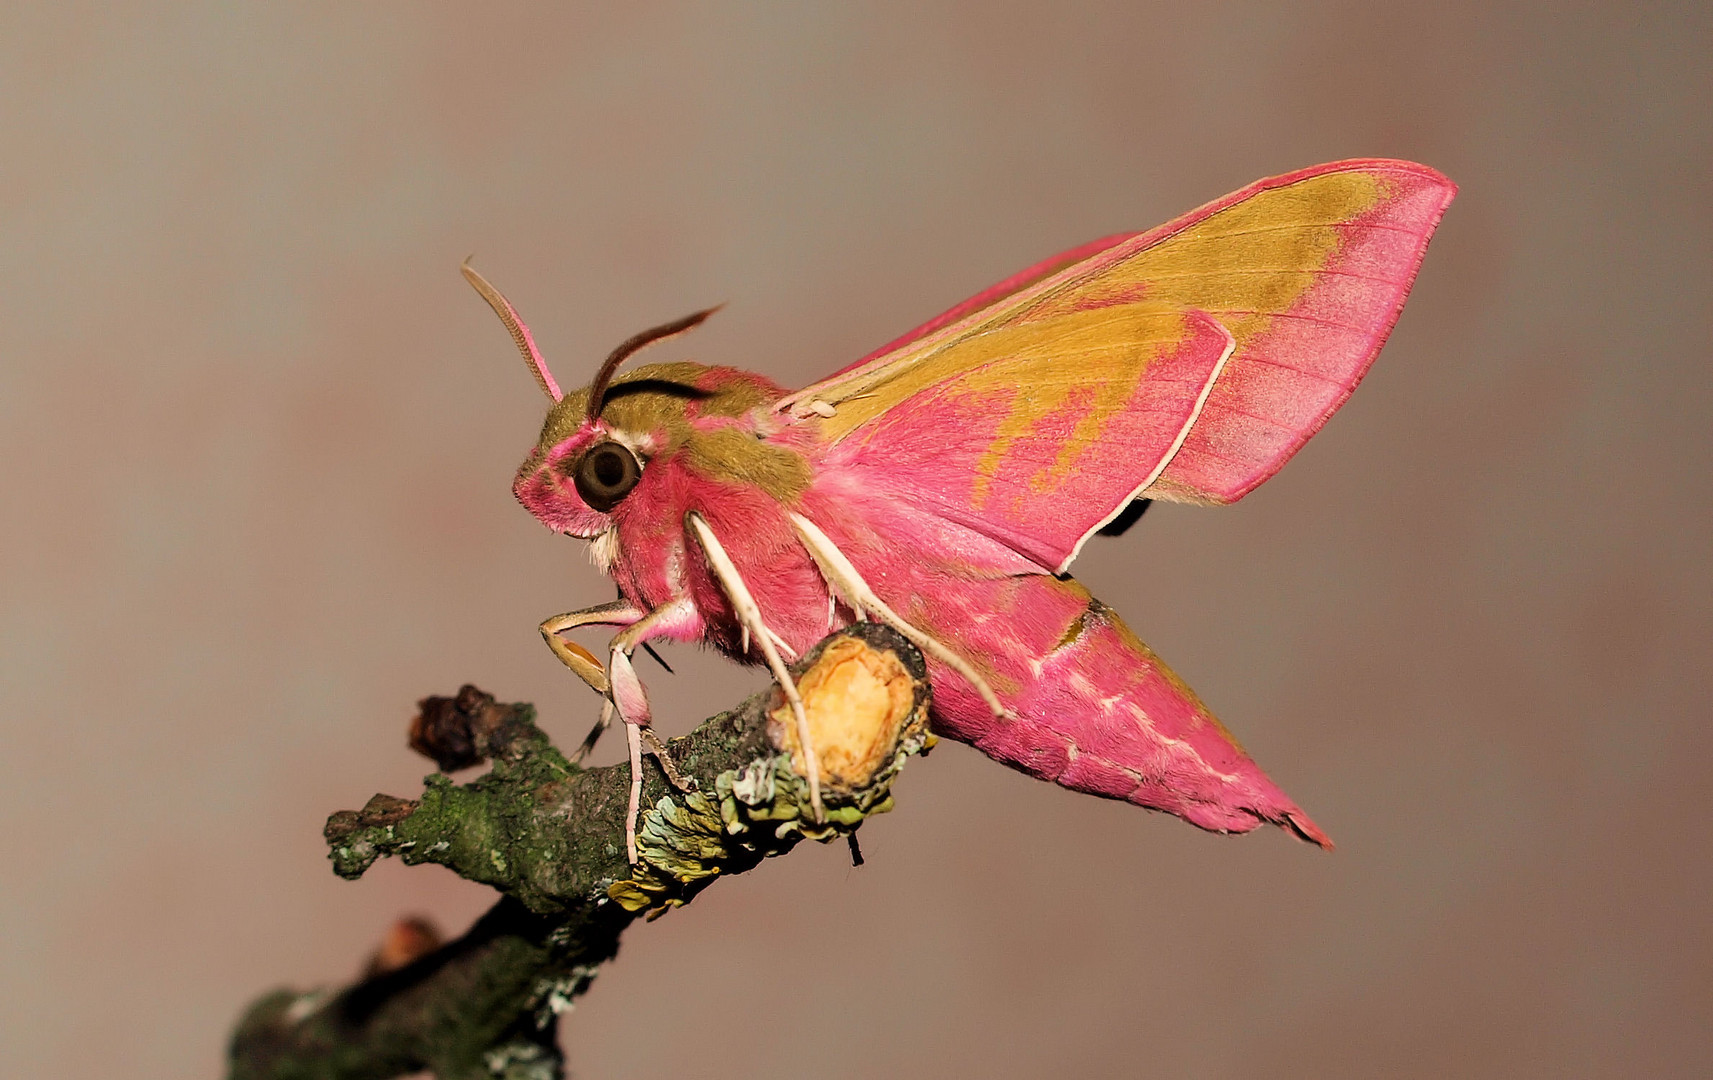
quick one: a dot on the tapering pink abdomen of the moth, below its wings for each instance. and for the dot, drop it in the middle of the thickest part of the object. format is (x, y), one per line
(1095, 709)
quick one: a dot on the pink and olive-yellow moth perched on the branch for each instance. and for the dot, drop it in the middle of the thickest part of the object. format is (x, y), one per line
(946, 483)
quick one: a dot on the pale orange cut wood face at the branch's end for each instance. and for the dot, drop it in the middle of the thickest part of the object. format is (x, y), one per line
(857, 702)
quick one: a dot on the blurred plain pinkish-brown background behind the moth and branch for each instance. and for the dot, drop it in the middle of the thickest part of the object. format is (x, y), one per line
(260, 436)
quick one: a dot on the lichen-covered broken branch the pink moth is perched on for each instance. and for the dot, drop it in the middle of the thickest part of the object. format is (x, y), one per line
(551, 837)
